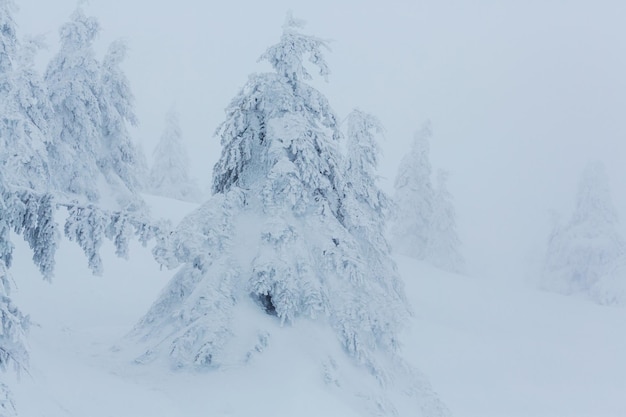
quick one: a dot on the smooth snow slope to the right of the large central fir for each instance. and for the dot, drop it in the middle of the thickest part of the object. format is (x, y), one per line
(501, 349)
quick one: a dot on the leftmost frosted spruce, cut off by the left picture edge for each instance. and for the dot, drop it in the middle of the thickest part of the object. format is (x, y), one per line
(24, 112)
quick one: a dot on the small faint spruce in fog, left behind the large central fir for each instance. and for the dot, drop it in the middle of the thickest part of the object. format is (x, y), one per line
(169, 174)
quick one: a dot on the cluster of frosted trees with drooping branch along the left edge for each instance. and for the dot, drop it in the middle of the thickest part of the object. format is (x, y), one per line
(53, 142)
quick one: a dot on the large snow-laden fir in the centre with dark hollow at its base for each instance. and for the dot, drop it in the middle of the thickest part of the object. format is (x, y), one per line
(278, 243)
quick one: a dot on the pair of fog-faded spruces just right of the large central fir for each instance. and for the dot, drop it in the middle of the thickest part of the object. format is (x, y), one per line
(425, 225)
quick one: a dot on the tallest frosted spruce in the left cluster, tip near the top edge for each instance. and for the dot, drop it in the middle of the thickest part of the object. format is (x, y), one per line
(73, 80)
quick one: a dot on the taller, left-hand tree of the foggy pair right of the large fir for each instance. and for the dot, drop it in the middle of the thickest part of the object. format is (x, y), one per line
(414, 198)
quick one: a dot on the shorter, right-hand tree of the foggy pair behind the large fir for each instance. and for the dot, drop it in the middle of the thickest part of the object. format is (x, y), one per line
(443, 247)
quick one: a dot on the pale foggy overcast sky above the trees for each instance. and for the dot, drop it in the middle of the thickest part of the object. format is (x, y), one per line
(521, 94)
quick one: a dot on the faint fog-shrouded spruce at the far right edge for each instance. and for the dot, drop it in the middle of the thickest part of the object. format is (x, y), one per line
(587, 254)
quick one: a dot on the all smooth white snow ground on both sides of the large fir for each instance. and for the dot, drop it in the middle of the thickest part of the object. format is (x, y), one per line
(488, 348)
